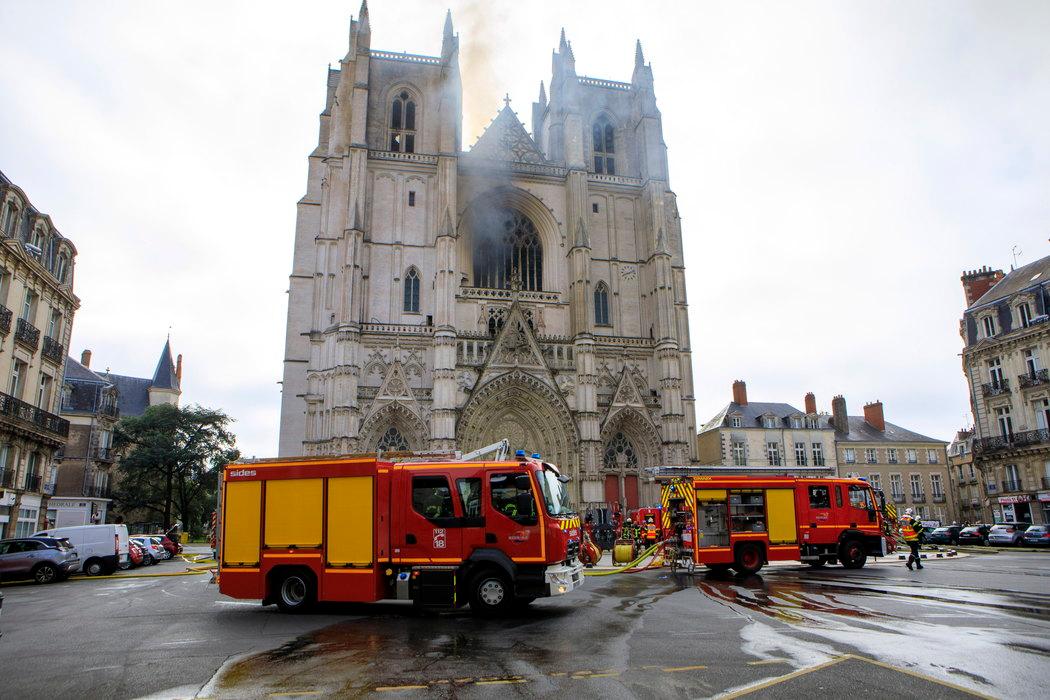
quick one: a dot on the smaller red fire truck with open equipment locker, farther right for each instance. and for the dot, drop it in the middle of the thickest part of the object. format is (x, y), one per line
(745, 522)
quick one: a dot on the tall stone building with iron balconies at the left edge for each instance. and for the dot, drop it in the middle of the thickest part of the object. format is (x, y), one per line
(37, 307)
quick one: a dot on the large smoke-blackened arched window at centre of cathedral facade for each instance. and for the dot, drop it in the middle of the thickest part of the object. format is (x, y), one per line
(507, 247)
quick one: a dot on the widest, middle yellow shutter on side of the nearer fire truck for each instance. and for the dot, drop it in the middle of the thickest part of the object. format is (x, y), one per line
(293, 513)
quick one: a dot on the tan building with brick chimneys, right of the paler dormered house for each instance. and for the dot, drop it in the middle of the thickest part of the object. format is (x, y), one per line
(910, 469)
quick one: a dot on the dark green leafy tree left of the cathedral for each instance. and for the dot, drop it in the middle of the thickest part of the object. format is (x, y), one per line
(172, 462)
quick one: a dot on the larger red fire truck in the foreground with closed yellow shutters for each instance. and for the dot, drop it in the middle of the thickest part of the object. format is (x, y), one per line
(442, 534)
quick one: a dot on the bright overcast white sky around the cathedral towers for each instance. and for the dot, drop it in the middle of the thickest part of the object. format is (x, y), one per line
(837, 165)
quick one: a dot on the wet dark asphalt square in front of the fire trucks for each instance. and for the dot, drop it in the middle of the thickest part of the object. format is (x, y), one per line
(979, 625)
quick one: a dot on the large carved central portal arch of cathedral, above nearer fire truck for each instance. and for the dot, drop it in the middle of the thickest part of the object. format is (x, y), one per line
(530, 414)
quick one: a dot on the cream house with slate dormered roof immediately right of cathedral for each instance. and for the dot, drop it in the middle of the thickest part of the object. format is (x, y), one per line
(749, 437)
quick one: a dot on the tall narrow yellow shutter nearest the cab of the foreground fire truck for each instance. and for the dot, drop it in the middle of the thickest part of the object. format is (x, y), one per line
(350, 522)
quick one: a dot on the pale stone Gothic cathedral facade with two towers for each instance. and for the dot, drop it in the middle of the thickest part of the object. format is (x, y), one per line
(531, 288)
